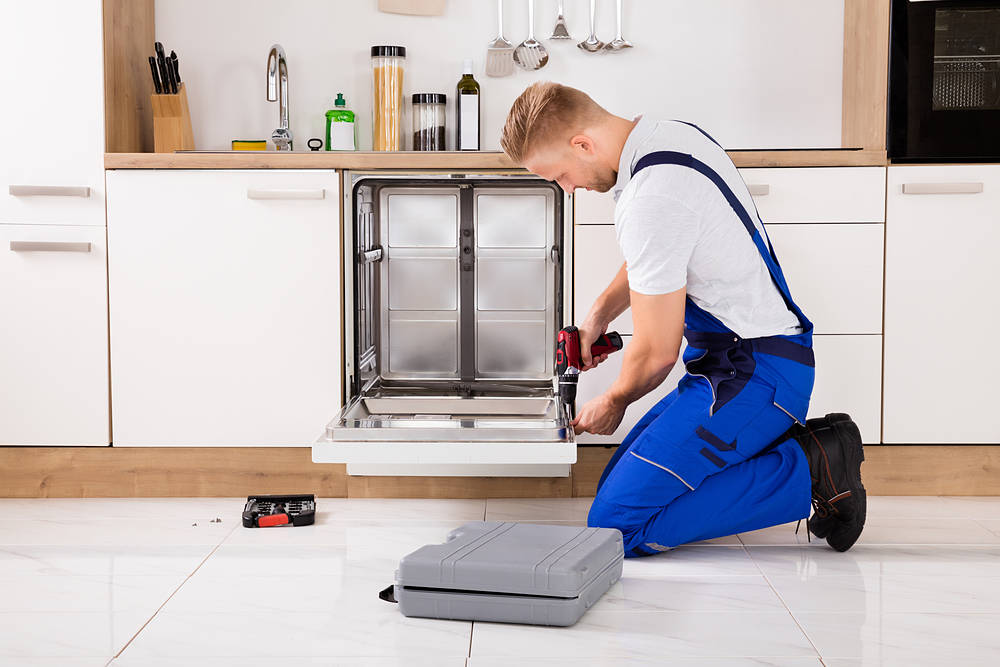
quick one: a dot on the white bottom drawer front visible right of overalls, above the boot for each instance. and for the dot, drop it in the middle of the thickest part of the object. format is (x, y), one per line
(849, 379)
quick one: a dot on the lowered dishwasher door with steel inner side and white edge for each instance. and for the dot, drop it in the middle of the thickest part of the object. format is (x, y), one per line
(404, 425)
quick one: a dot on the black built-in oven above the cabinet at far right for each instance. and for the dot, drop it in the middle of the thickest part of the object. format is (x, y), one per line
(944, 81)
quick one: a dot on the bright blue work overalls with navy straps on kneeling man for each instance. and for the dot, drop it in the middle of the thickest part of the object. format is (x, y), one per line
(704, 462)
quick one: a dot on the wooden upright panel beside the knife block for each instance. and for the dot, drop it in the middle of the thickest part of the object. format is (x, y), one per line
(128, 42)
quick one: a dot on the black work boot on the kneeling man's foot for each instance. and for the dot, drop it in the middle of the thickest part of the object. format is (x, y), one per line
(832, 445)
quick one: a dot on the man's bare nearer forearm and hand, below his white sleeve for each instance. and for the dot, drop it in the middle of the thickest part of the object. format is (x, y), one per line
(658, 328)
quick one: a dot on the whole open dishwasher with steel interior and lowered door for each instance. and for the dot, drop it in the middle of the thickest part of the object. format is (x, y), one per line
(456, 286)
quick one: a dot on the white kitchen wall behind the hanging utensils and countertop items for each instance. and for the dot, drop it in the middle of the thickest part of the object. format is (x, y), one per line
(754, 73)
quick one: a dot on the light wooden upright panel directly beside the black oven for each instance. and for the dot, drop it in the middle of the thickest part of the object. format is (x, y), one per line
(866, 74)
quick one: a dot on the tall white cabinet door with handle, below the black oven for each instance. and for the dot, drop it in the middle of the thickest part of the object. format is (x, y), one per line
(941, 305)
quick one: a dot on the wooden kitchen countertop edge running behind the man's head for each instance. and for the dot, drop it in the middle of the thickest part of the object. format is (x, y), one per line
(446, 159)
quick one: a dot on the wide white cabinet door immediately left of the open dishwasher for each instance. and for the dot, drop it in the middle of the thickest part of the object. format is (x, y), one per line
(224, 305)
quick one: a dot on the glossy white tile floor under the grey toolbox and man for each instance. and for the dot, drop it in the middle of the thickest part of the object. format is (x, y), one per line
(157, 583)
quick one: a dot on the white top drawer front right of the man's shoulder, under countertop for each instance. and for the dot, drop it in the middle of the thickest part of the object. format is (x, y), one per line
(818, 194)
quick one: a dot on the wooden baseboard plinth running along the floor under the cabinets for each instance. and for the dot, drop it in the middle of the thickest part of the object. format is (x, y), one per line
(95, 472)
